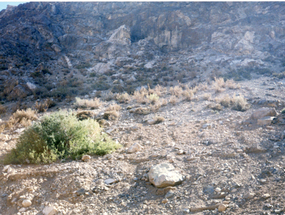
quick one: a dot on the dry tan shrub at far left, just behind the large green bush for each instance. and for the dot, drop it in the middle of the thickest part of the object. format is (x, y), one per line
(23, 117)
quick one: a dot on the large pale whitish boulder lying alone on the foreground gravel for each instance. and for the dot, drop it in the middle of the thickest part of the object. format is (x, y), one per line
(164, 174)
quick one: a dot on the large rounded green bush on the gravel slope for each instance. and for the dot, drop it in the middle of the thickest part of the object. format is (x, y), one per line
(60, 135)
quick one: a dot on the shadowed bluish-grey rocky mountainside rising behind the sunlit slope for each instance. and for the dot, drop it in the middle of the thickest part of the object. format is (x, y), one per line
(62, 49)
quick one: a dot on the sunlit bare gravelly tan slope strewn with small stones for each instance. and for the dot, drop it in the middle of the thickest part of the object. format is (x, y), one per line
(224, 160)
